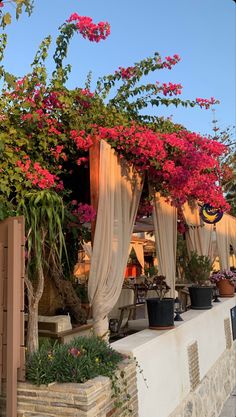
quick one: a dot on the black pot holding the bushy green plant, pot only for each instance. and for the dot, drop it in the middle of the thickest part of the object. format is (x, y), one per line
(201, 298)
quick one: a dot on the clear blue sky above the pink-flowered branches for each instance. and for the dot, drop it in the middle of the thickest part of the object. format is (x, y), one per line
(202, 32)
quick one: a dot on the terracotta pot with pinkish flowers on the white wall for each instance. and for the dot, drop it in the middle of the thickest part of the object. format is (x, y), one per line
(225, 281)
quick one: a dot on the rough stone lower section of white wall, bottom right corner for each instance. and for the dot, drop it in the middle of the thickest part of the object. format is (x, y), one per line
(208, 398)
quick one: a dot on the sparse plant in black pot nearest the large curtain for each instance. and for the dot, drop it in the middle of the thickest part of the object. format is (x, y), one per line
(161, 308)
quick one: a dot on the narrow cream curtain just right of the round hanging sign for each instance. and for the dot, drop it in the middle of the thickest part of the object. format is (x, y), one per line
(223, 241)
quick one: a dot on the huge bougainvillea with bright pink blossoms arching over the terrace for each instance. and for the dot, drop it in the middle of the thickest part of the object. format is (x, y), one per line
(47, 130)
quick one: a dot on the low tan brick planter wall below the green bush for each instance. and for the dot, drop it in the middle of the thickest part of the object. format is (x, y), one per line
(91, 399)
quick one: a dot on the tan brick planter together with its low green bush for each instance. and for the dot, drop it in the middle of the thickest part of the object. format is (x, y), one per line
(85, 377)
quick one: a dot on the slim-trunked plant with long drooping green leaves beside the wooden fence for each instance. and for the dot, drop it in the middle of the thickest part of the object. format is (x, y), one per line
(44, 216)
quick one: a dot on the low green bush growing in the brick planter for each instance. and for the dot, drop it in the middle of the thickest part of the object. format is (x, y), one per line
(81, 359)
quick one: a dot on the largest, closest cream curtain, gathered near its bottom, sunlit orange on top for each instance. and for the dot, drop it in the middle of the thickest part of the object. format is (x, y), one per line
(120, 188)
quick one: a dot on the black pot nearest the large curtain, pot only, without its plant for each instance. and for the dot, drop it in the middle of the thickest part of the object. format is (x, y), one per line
(160, 313)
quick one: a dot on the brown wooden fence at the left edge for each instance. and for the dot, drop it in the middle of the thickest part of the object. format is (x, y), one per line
(12, 261)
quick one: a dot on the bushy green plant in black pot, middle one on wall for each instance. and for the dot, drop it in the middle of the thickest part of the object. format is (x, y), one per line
(197, 271)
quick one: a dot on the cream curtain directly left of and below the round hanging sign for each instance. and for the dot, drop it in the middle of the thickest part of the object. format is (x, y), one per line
(199, 236)
